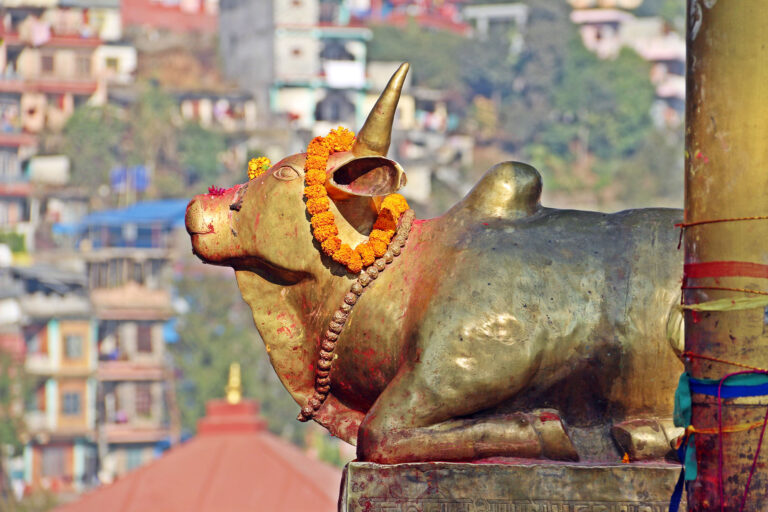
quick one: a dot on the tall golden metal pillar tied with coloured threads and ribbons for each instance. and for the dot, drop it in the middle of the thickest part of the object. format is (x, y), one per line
(726, 177)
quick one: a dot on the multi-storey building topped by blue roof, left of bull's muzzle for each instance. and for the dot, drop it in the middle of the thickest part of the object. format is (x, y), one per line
(128, 253)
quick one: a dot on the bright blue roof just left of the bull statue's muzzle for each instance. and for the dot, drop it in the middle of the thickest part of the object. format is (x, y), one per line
(166, 212)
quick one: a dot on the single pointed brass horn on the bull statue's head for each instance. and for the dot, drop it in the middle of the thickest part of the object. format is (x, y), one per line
(374, 137)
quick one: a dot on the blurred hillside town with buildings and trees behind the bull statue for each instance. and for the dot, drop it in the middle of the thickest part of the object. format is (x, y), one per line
(113, 113)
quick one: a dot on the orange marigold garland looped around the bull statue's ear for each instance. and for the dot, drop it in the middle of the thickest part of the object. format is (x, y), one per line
(323, 221)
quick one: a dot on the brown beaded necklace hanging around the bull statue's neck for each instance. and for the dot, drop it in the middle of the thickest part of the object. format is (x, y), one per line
(331, 336)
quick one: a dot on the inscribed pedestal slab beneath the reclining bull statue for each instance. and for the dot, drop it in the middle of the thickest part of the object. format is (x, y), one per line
(519, 487)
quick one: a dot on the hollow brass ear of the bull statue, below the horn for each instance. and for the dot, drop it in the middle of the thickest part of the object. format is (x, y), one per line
(367, 176)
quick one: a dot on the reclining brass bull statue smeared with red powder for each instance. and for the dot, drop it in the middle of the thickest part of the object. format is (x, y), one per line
(504, 329)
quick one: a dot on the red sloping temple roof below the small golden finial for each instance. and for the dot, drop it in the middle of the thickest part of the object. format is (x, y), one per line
(233, 464)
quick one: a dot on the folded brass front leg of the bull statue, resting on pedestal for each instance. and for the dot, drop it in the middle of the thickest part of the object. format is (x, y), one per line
(421, 416)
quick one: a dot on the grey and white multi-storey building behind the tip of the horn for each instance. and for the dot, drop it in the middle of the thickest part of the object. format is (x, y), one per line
(298, 58)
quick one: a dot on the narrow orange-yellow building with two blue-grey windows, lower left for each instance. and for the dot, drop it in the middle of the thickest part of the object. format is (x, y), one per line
(60, 339)
